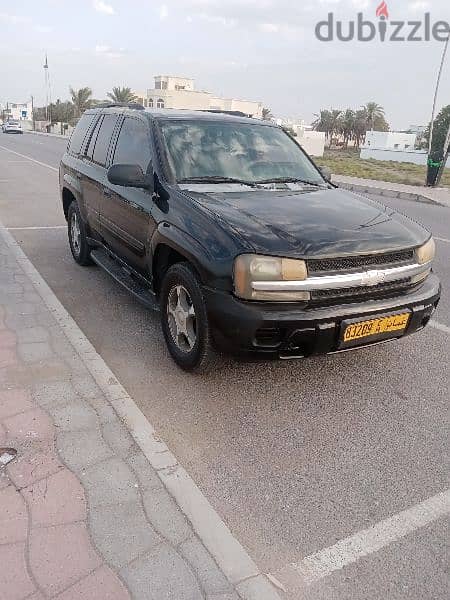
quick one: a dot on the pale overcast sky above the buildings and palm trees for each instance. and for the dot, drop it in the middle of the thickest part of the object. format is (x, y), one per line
(263, 50)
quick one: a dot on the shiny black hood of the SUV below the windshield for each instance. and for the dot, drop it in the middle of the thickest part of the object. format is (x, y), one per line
(324, 222)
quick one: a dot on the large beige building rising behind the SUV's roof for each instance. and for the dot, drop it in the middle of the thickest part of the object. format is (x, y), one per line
(180, 93)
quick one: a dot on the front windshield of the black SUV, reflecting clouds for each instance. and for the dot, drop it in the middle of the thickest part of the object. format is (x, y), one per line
(224, 151)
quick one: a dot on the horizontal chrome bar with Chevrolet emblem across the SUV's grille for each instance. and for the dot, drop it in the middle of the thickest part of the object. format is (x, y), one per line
(369, 279)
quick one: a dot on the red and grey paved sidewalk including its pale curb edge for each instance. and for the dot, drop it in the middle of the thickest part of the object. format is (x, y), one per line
(83, 513)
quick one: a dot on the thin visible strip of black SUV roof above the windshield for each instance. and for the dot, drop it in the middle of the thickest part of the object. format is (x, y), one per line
(174, 114)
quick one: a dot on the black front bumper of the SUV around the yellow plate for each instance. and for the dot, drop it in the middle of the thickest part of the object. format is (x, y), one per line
(287, 330)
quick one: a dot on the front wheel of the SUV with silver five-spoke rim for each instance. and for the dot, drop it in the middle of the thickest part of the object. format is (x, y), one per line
(184, 319)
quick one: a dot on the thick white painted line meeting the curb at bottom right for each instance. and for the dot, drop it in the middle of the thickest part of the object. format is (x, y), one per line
(365, 542)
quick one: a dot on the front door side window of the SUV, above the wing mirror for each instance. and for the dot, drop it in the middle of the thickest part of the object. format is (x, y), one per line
(133, 145)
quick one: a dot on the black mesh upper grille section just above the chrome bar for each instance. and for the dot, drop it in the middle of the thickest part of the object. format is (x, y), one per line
(349, 263)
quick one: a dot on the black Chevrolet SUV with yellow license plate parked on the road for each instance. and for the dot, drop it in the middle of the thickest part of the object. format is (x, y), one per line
(227, 226)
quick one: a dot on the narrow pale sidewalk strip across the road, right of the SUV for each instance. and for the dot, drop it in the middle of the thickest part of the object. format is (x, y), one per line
(394, 190)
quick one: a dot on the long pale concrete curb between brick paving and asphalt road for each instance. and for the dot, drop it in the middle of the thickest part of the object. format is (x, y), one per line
(226, 550)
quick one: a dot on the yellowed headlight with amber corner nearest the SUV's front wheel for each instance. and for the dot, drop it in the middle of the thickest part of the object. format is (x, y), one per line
(249, 268)
